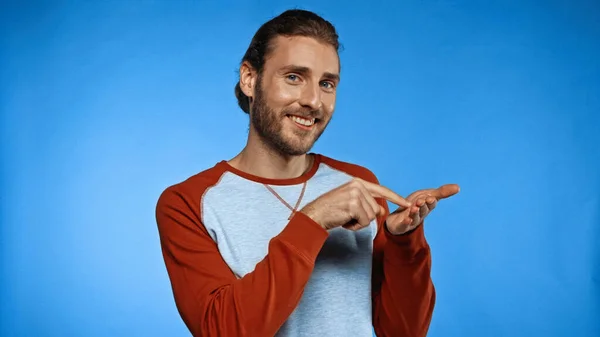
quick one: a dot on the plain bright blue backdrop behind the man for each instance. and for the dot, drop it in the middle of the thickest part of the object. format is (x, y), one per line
(106, 104)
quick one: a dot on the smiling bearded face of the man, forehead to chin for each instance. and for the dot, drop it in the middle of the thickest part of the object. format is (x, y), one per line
(294, 97)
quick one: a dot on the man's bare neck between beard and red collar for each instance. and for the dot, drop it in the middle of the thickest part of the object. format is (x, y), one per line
(258, 159)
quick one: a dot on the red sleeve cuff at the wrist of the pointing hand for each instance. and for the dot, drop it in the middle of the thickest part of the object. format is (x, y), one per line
(305, 235)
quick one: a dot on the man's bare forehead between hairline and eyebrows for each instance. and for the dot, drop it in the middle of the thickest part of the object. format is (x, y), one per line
(303, 52)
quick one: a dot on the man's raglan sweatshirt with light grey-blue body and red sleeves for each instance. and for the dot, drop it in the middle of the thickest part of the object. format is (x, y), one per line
(241, 264)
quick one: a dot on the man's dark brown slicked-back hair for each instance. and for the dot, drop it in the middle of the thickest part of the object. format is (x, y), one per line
(294, 22)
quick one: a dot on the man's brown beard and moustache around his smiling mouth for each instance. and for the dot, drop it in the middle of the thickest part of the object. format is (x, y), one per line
(269, 126)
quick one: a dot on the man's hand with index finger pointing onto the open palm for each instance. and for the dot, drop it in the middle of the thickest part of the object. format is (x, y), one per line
(351, 205)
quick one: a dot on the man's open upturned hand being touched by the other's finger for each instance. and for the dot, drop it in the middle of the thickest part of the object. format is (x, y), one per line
(423, 202)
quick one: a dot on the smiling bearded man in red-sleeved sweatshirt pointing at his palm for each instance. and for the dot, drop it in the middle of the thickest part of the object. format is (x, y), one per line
(282, 242)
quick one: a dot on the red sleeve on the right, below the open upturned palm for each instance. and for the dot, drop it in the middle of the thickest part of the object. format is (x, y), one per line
(403, 292)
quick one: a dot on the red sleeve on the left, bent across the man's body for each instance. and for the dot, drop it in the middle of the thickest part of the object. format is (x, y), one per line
(208, 296)
